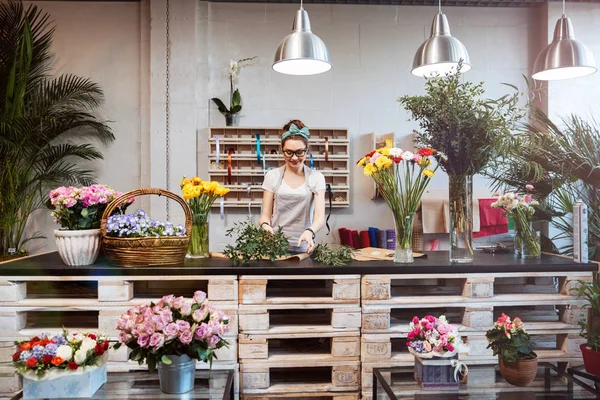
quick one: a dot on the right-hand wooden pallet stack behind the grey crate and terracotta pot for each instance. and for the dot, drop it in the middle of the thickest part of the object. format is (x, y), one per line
(472, 302)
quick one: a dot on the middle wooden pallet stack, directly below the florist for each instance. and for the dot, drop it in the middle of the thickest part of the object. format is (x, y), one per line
(299, 336)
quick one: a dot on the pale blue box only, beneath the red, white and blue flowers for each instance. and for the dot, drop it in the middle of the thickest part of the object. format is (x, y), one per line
(82, 383)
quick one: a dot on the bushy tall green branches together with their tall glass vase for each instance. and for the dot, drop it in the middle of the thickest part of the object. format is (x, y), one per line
(457, 120)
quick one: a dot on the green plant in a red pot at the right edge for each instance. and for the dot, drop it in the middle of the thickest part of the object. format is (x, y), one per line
(590, 328)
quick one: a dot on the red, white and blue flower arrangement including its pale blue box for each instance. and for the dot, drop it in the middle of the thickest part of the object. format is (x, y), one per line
(64, 365)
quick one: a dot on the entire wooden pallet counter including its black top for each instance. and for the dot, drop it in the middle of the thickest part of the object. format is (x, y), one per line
(304, 329)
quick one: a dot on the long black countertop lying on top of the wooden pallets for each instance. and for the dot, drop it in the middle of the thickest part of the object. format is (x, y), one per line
(435, 263)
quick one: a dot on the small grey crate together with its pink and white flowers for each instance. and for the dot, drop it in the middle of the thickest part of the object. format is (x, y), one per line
(436, 344)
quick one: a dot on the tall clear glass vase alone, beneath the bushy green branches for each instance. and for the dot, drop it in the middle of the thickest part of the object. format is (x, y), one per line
(461, 218)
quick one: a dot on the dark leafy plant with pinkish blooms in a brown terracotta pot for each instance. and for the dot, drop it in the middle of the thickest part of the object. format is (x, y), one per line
(514, 348)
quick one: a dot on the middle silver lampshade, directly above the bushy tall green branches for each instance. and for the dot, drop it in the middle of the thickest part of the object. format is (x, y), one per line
(441, 52)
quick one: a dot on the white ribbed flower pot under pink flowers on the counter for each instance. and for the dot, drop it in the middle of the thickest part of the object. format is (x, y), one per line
(78, 247)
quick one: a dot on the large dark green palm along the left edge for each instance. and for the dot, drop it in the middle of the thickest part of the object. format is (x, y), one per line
(47, 123)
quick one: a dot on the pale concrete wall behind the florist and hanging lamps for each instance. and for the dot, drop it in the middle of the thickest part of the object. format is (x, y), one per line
(122, 47)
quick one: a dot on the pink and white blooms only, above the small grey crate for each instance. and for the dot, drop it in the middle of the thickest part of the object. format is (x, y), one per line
(433, 337)
